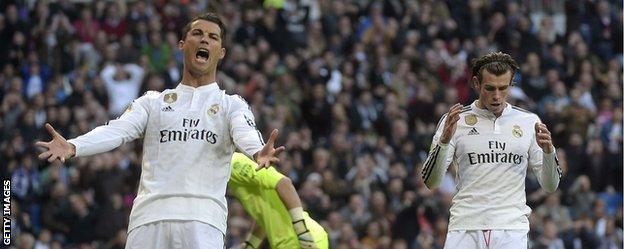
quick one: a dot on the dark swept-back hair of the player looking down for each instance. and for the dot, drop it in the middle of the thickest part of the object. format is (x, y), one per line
(497, 63)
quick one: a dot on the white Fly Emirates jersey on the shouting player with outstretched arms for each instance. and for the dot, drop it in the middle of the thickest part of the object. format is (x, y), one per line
(189, 135)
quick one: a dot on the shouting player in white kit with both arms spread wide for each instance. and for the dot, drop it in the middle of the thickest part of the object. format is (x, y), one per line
(189, 135)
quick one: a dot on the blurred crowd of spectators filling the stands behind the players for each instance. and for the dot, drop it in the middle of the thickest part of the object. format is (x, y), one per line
(355, 87)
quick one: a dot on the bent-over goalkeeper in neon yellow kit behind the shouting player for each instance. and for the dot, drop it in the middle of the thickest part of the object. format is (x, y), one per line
(272, 201)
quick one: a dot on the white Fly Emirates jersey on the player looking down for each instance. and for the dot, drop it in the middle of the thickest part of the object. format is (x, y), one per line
(491, 156)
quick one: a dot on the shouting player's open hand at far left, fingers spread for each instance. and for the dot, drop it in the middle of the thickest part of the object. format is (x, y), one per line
(58, 148)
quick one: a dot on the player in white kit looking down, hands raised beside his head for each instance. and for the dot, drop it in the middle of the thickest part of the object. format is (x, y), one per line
(491, 144)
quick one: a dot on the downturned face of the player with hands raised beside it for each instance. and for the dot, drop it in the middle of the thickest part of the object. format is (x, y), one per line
(493, 90)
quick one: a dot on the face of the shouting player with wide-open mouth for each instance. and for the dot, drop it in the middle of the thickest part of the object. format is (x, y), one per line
(202, 47)
